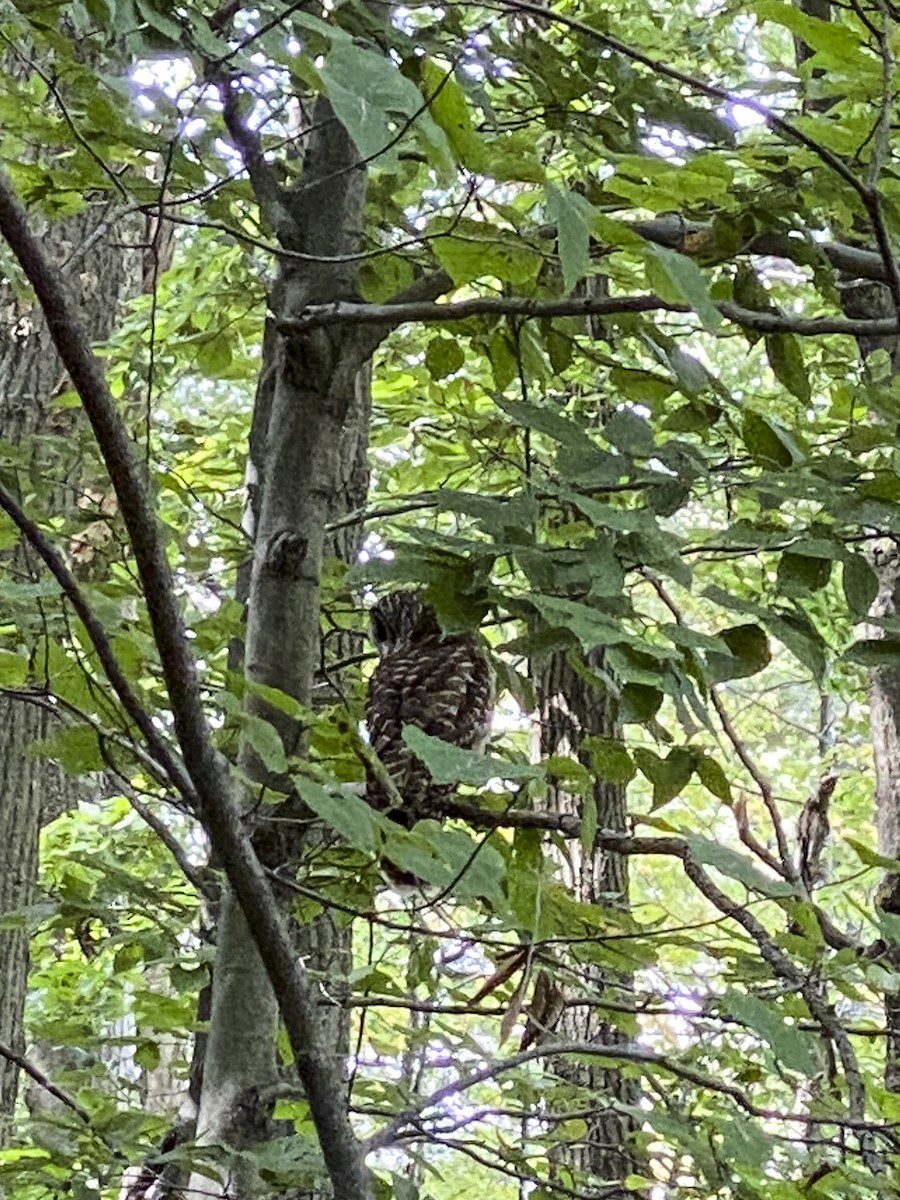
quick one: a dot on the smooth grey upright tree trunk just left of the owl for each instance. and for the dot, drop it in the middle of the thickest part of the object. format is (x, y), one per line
(308, 467)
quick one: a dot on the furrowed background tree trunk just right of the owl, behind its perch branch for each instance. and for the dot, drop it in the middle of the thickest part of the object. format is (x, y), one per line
(572, 711)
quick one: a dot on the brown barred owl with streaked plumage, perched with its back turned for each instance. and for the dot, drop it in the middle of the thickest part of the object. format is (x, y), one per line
(443, 685)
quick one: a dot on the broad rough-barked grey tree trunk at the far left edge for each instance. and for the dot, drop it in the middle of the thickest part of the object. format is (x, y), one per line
(34, 791)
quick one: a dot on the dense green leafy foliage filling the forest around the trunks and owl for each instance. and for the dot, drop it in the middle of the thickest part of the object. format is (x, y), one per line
(652, 433)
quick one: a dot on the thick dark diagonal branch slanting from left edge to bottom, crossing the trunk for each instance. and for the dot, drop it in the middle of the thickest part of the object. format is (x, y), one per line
(217, 790)
